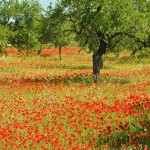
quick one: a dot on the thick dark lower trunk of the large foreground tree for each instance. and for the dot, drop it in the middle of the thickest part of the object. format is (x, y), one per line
(97, 65)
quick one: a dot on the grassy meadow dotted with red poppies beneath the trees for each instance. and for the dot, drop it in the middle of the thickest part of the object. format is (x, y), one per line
(47, 104)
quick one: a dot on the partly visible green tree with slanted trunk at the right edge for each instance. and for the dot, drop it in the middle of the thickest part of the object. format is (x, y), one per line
(140, 33)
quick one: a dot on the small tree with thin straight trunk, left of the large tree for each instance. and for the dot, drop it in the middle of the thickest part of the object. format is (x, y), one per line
(54, 28)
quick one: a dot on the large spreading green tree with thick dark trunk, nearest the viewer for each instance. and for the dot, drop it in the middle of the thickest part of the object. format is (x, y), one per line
(101, 25)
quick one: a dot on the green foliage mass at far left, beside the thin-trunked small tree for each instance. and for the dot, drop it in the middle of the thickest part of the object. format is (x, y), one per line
(22, 19)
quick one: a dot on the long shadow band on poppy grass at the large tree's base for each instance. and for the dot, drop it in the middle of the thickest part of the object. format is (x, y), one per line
(79, 79)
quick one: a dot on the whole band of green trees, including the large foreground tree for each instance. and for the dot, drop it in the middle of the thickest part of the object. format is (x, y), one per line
(100, 26)
